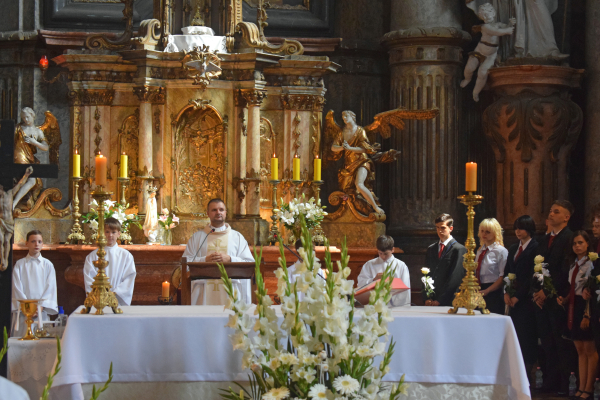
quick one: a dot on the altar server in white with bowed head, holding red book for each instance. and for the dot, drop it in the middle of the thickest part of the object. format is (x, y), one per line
(373, 270)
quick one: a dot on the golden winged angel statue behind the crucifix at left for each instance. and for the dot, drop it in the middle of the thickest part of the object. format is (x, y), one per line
(28, 140)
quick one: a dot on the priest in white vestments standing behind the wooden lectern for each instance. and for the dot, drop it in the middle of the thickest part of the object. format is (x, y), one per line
(217, 243)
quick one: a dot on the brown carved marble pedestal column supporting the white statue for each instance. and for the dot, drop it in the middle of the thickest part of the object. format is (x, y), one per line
(532, 126)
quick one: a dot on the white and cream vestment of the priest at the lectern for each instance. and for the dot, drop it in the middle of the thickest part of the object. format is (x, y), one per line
(210, 291)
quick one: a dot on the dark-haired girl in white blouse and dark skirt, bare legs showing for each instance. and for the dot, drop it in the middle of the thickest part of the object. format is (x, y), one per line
(578, 322)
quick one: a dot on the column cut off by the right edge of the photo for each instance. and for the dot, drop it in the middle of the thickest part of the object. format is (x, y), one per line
(592, 125)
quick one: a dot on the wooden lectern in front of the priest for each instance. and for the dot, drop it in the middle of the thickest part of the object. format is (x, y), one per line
(202, 270)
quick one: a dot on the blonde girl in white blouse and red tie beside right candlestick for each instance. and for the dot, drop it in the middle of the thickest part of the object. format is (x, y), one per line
(491, 260)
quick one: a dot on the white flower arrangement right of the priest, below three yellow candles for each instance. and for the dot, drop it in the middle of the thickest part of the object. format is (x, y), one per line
(290, 214)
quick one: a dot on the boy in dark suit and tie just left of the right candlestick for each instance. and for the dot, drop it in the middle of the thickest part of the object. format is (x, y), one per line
(444, 260)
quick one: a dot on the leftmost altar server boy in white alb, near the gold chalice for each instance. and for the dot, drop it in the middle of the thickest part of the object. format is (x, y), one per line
(33, 278)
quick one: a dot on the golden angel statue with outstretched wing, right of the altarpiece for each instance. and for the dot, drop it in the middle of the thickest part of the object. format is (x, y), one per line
(356, 178)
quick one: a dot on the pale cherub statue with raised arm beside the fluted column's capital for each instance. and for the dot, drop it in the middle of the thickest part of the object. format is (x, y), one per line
(486, 51)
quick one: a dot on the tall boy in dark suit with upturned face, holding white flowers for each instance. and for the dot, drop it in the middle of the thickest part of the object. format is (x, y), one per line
(555, 246)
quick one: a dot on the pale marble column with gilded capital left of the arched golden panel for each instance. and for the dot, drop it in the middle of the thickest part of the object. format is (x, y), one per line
(146, 95)
